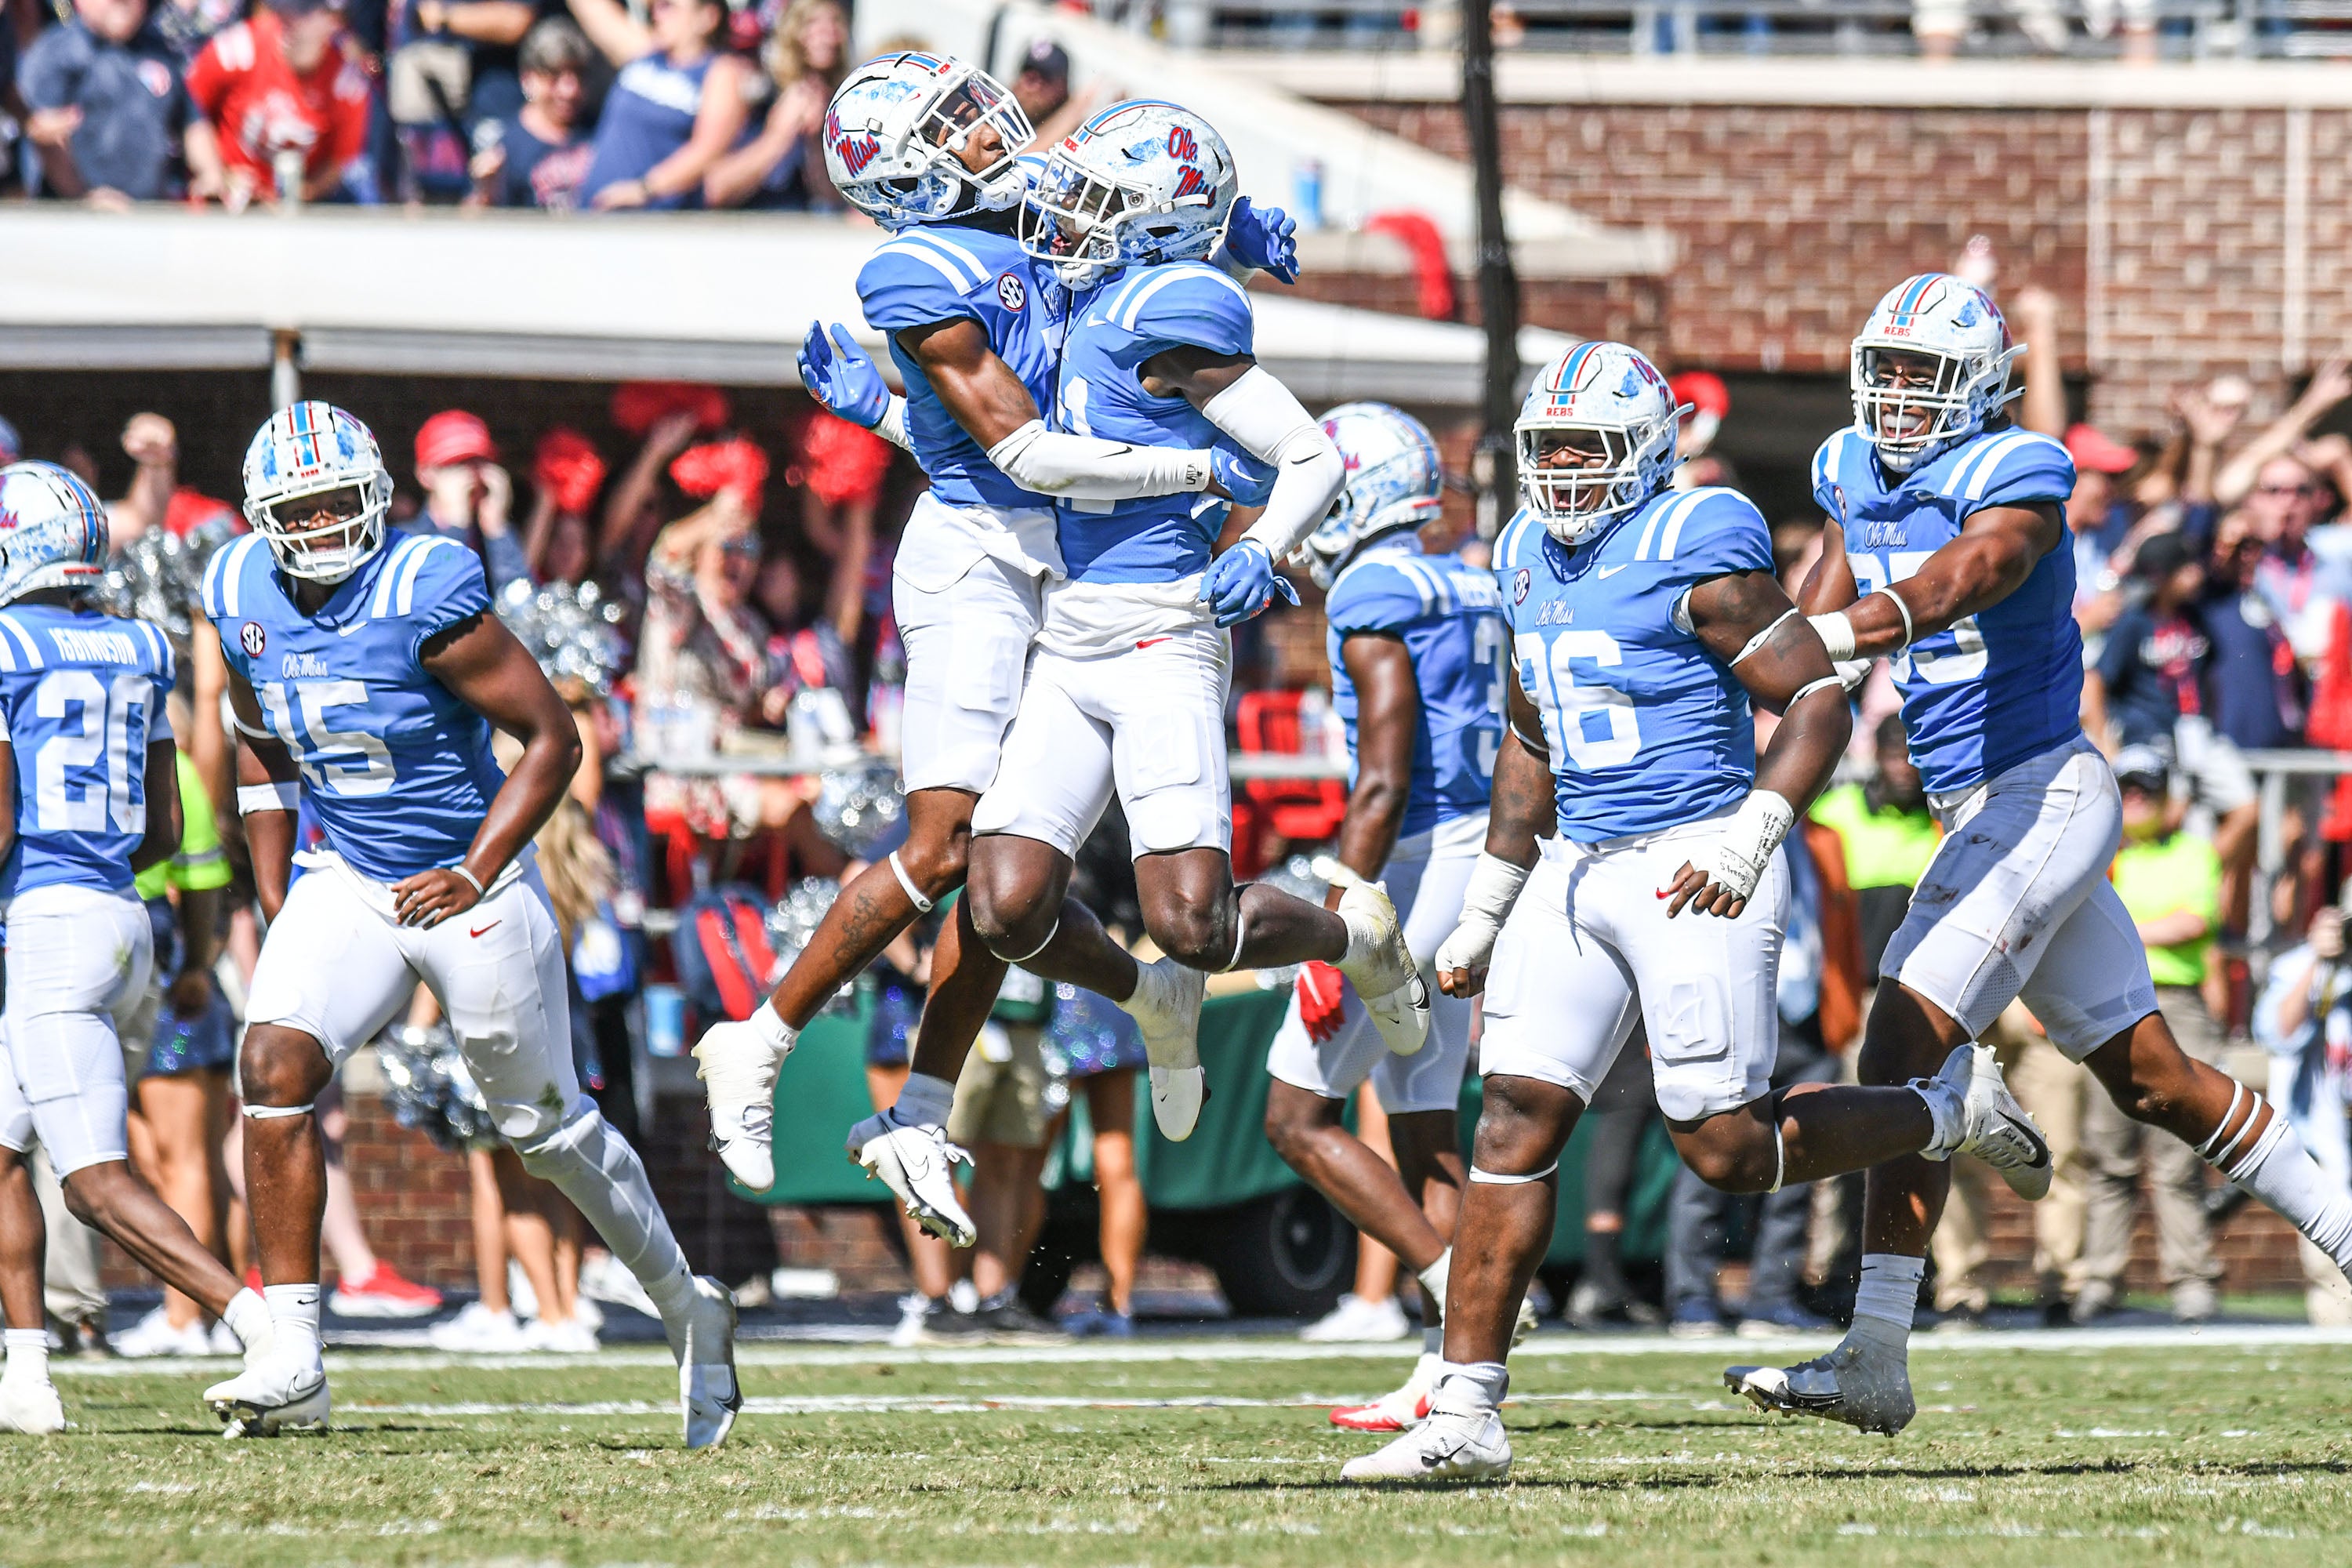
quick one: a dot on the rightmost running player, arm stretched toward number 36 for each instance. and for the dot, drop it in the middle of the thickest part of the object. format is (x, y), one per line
(1949, 554)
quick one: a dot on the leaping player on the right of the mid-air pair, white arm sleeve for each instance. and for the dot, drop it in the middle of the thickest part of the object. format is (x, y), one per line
(1128, 688)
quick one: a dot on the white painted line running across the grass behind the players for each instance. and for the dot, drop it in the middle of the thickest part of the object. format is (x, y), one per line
(1184, 1348)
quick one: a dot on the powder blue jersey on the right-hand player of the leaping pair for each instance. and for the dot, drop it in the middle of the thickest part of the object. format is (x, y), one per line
(1130, 319)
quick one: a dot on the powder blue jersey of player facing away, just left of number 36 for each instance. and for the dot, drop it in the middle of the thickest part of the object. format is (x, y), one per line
(1452, 626)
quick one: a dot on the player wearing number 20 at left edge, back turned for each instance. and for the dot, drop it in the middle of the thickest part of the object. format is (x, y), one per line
(86, 751)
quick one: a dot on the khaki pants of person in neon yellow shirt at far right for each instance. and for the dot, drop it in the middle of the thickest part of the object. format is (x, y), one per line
(2116, 1148)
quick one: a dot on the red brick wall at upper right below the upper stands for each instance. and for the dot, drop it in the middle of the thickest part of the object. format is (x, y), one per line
(2221, 234)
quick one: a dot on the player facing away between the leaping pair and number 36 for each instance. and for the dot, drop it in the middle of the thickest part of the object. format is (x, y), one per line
(1417, 676)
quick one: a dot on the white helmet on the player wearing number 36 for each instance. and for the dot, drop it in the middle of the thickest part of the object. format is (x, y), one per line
(1596, 438)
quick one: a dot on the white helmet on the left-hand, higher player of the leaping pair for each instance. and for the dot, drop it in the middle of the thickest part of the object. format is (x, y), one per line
(897, 130)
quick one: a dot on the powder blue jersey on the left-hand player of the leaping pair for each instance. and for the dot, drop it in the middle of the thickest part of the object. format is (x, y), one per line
(944, 274)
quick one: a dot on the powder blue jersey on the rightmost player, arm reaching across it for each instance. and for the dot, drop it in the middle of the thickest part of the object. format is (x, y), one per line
(2005, 683)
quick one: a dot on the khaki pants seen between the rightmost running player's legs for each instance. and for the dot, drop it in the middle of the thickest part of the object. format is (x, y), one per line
(2052, 1090)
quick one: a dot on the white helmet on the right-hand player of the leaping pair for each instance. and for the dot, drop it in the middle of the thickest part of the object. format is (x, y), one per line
(1137, 185)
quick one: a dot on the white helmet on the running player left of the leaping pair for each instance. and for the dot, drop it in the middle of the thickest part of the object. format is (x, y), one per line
(314, 460)
